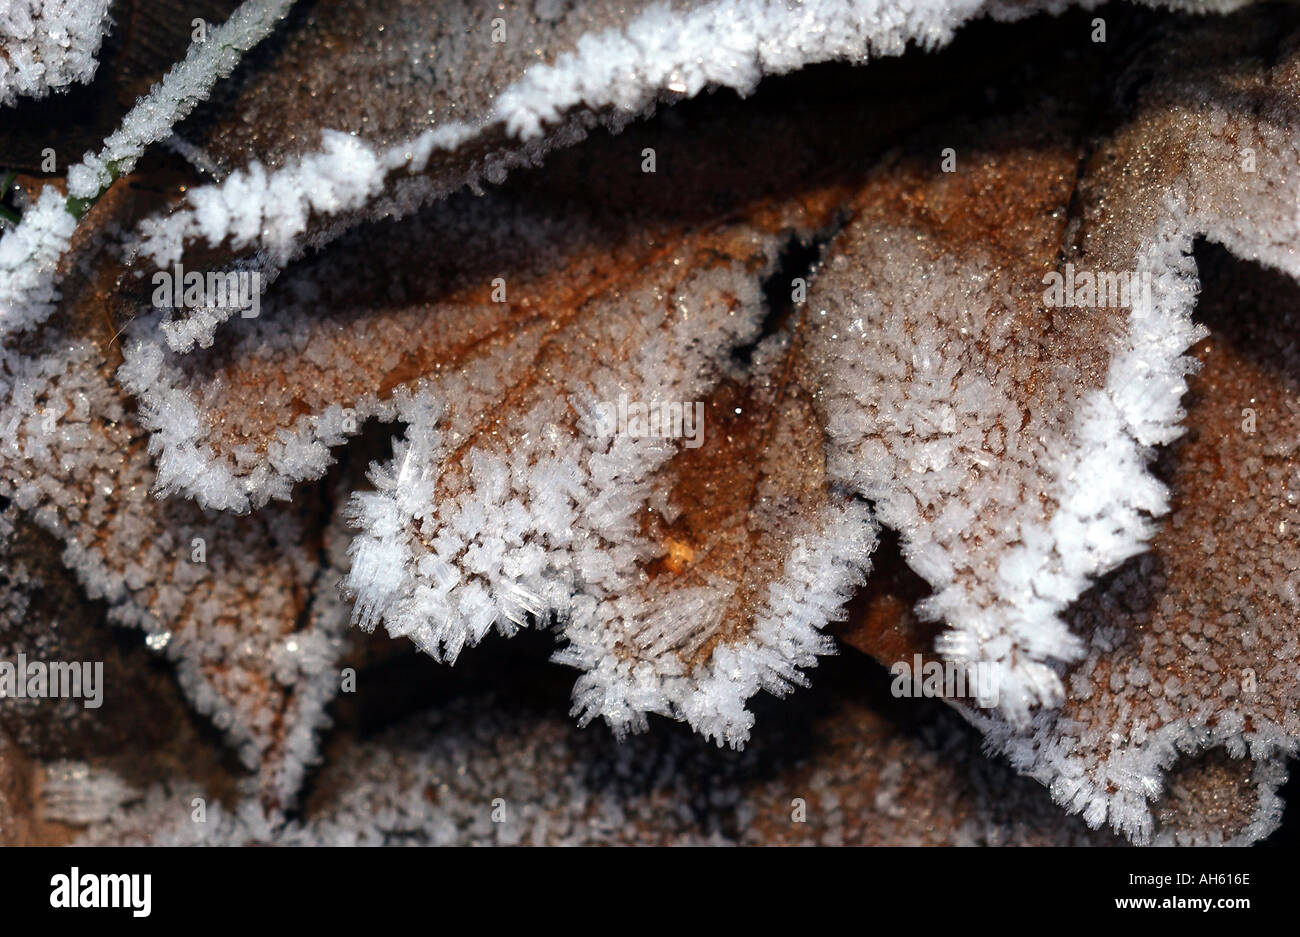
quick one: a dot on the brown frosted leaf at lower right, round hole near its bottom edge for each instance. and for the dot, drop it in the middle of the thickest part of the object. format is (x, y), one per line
(1194, 647)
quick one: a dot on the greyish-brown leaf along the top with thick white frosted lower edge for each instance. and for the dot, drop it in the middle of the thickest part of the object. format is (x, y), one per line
(528, 80)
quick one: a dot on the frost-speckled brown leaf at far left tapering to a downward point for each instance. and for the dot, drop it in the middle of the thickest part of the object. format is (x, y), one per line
(224, 597)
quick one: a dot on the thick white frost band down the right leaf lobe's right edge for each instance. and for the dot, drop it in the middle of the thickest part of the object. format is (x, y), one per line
(1106, 497)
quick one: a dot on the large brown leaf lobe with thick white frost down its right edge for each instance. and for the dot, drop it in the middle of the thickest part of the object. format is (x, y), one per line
(1007, 439)
